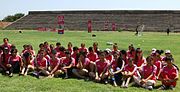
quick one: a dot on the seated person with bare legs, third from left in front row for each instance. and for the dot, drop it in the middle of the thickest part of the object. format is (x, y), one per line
(28, 63)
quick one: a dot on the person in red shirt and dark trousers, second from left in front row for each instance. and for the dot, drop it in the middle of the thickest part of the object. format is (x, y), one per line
(14, 63)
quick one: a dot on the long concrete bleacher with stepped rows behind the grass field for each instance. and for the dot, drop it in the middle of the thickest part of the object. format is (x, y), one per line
(154, 20)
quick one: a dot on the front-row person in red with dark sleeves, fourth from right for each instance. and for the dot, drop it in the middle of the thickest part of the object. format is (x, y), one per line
(116, 68)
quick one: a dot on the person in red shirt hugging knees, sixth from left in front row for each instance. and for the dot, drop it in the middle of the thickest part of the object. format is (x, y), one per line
(67, 63)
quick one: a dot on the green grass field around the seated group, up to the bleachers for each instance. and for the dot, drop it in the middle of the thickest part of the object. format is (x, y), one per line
(148, 41)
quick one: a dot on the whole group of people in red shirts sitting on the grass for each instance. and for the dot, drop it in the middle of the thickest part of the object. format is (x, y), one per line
(120, 67)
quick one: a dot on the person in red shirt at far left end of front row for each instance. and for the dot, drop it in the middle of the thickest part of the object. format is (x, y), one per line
(4, 59)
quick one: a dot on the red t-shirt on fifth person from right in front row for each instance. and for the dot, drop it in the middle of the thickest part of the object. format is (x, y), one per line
(101, 66)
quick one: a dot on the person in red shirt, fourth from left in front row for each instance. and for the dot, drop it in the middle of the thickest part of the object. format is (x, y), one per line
(41, 64)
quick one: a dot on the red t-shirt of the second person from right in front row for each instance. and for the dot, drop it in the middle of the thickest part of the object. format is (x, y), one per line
(147, 71)
